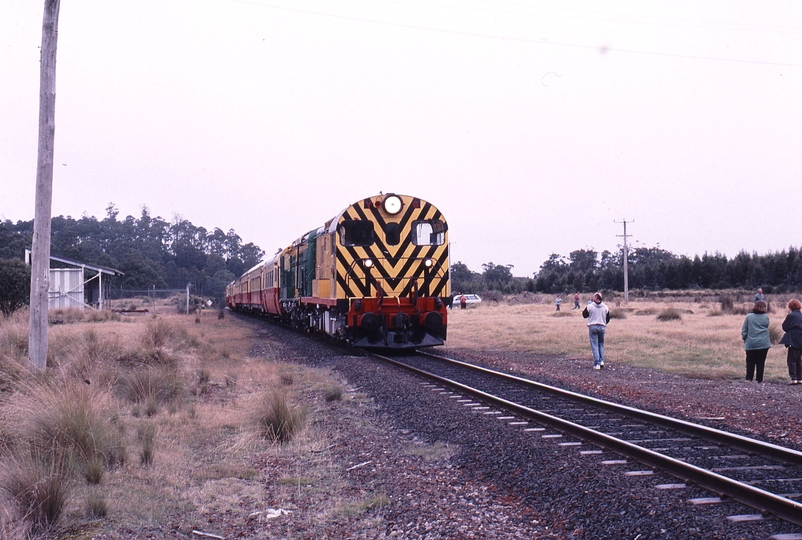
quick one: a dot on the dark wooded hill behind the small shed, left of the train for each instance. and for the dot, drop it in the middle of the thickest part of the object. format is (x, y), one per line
(149, 250)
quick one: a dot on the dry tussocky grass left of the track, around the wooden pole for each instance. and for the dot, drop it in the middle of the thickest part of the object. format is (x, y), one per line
(153, 417)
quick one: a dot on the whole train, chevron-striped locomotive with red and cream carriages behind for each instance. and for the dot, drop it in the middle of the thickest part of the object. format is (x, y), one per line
(376, 275)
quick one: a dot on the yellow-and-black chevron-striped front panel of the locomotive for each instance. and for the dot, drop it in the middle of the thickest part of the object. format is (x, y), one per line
(398, 264)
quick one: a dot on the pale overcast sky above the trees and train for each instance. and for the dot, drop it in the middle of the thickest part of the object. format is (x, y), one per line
(535, 126)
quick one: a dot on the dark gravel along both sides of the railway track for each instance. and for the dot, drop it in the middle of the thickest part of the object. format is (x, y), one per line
(447, 471)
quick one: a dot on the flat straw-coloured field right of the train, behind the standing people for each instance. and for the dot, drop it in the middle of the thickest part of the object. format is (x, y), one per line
(705, 342)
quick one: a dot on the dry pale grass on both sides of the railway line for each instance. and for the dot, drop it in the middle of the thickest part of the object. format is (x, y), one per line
(145, 419)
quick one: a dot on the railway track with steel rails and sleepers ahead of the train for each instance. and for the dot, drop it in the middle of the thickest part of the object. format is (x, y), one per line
(760, 475)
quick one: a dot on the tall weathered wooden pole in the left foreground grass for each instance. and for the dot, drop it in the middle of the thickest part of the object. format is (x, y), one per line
(40, 263)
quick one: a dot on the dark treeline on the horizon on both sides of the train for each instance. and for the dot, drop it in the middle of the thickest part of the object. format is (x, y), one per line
(168, 255)
